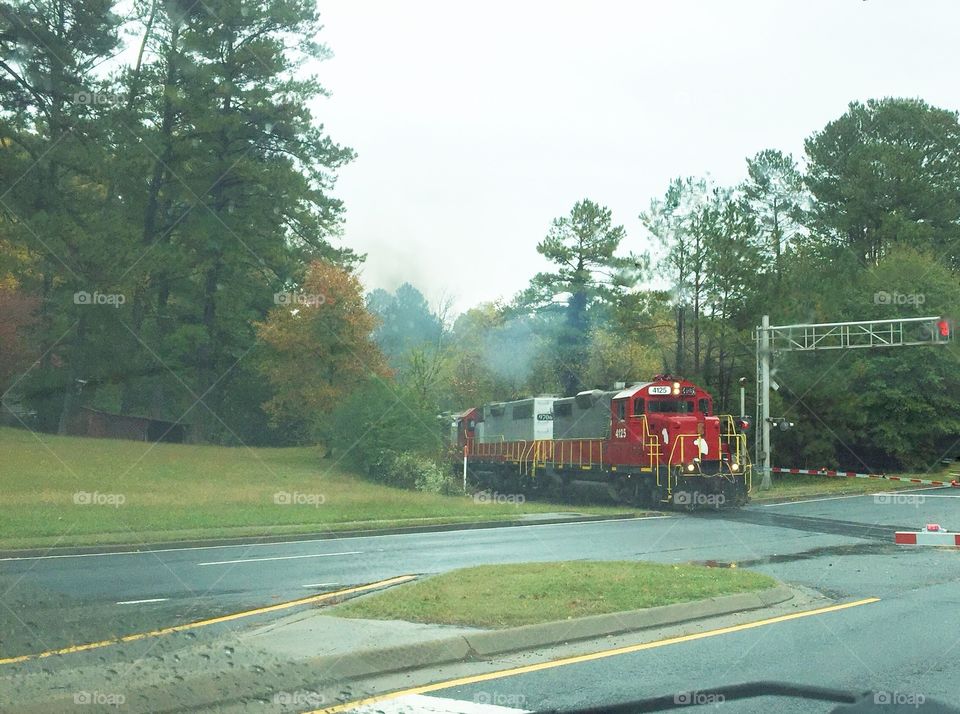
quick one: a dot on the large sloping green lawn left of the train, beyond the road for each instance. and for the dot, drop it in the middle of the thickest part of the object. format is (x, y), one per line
(180, 492)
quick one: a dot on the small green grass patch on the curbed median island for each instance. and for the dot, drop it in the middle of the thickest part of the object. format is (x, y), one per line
(496, 596)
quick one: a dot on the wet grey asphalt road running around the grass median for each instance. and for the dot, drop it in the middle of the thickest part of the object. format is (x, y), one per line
(908, 642)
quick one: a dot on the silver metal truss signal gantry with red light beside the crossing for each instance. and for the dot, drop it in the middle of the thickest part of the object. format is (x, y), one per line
(813, 337)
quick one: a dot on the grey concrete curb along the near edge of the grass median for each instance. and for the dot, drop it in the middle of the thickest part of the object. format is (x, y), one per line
(483, 645)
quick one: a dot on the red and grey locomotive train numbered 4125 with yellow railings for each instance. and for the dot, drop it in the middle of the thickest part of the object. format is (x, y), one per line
(656, 444)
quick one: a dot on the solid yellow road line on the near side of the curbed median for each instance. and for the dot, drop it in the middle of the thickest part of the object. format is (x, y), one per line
(526, 669)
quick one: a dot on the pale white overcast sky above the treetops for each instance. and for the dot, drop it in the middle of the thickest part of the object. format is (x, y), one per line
(476, 124)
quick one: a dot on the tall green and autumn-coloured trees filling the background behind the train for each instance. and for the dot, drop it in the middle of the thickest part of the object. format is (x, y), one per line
(168, 248)
